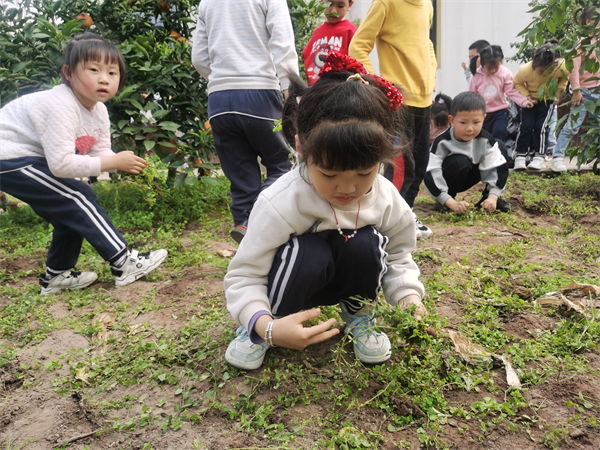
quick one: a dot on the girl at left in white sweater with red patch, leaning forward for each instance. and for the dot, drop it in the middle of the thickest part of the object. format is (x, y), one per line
(49, 138)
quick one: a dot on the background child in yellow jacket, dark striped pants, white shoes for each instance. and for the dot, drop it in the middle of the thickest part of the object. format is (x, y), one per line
(545, 64)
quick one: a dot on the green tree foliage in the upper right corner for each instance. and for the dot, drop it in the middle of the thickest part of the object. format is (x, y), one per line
(554, 20)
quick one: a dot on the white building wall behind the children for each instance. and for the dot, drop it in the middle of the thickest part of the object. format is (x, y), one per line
(461, 23)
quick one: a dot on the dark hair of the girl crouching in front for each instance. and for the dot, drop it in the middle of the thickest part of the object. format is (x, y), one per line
(342, 124)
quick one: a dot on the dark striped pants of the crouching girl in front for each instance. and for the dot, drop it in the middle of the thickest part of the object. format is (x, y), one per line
(322, 269)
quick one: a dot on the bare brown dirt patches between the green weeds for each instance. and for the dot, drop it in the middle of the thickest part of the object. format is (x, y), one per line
(41, 417)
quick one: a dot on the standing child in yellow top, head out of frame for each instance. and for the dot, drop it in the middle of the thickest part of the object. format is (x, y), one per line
(400, 28)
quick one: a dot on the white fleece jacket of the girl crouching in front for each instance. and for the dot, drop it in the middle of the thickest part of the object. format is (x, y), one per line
(291, 207)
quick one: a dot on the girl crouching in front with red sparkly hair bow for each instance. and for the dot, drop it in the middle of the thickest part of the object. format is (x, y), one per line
(330, 231)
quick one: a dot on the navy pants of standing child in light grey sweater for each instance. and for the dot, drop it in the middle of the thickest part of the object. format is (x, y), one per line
(242, 122)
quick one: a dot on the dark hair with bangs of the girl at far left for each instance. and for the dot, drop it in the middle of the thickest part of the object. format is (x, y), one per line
(92, 47)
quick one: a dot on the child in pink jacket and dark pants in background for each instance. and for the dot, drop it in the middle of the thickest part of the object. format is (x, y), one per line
(494, 82)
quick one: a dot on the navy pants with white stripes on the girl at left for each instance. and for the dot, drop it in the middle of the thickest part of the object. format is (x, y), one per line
(71, 206)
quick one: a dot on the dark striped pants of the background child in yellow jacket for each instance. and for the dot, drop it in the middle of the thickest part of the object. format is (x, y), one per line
(534, 124)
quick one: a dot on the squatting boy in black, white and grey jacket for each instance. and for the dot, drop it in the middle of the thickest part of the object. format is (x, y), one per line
(464, 155)
